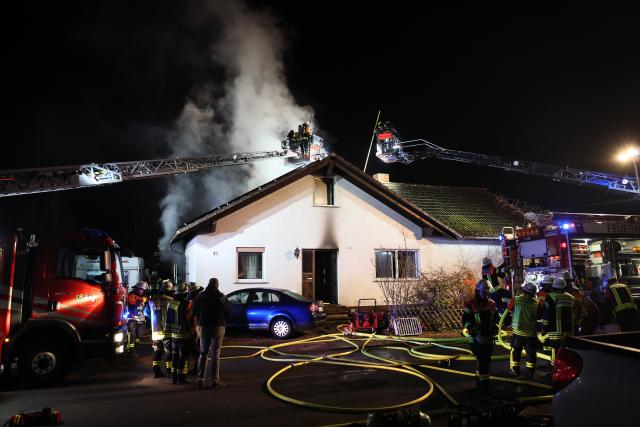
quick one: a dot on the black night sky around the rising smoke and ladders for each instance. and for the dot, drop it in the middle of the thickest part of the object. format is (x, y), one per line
(104, 81)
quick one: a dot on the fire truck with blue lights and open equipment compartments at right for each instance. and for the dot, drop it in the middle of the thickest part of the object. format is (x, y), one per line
(591, 247)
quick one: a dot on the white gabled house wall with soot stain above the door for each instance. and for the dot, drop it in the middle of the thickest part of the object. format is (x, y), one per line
(286, 220)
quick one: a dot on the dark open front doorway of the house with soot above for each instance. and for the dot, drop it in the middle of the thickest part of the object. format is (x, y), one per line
(320, 274)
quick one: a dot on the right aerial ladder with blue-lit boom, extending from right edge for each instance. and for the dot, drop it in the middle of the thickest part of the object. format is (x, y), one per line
(390, 149)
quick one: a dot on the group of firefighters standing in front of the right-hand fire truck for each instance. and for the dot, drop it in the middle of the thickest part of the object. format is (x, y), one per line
(542, 314)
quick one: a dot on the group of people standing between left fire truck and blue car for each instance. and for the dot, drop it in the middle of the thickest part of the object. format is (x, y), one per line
(169, 313)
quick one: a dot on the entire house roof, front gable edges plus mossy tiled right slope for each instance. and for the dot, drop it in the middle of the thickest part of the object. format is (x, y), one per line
(412, 201)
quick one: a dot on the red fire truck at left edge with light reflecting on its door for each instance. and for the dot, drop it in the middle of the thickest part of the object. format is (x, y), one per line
(61, 301)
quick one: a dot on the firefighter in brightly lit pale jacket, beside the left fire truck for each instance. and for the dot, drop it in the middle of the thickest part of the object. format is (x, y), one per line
(160, 341)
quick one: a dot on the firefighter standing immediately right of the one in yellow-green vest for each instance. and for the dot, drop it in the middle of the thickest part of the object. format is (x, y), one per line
(557, 316)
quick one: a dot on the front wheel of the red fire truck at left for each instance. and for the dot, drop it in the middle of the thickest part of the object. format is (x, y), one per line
(43, 363)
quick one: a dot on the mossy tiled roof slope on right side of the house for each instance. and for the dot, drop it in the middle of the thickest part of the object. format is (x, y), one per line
(473, 212)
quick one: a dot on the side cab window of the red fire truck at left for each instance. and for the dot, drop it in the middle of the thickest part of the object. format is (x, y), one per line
(80, 263)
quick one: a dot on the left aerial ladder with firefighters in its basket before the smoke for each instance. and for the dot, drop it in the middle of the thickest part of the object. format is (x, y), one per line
(297, 148)
